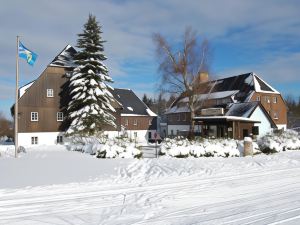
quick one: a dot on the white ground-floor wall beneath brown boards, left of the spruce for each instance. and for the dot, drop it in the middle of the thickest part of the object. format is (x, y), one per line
(44, 138)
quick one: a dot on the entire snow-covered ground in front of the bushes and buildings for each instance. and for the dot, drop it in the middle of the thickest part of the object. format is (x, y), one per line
(56, 186)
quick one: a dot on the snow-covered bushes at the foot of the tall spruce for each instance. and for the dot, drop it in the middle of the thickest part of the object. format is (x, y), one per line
(103, 147)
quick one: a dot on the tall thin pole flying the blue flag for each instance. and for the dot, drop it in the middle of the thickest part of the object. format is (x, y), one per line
(17, 96)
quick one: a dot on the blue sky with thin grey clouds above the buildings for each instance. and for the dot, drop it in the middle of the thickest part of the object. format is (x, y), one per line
(258, 36)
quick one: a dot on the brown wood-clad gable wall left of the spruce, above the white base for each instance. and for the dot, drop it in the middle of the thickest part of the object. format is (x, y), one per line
(35, 100)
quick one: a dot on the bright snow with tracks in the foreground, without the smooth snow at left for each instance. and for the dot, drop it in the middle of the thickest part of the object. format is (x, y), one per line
(151, 192)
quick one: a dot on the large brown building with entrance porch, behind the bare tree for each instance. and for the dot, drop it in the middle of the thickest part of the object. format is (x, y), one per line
(222, 96)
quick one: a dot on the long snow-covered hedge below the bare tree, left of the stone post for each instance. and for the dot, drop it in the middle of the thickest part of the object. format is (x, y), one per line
(180, 148)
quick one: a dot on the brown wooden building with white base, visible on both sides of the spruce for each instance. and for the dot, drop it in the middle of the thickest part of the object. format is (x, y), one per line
(42, 103)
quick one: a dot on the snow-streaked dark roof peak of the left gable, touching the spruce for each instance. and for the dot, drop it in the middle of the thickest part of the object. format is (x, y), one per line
(65, 58)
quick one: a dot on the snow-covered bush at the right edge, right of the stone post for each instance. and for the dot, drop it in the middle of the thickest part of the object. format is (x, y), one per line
(279, 141)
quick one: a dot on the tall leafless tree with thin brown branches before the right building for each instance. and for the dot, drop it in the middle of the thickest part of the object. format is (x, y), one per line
(181, 68)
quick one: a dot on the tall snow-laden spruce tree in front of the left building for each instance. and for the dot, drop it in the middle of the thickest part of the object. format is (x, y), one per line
(90, 109)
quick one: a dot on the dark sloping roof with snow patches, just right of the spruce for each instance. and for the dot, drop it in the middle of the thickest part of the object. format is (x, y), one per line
(132, 105)
